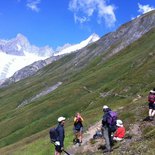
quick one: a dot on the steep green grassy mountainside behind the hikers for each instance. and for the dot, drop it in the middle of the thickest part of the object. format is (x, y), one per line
(125, 75)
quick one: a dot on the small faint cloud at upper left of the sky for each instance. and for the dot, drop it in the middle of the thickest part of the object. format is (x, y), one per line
(33, 5)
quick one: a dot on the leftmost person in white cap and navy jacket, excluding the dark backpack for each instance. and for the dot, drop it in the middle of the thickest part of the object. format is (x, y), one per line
(59, 144)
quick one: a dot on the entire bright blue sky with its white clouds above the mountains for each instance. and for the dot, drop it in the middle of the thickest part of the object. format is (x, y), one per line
(58, 22)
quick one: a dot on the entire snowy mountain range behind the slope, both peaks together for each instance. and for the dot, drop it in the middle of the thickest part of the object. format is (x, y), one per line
(18, 53)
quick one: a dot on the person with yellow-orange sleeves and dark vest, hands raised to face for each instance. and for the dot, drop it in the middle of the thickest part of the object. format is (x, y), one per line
(78, 129)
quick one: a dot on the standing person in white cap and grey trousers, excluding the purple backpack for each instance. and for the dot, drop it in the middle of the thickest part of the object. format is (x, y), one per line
(107, 128)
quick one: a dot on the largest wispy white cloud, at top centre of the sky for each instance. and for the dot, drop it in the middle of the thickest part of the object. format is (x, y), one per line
(84, 9)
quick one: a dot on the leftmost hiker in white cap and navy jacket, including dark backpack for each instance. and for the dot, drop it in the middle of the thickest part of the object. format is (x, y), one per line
(57, 136)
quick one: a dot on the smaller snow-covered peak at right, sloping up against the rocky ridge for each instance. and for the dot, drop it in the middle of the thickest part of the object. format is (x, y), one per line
(68, 48)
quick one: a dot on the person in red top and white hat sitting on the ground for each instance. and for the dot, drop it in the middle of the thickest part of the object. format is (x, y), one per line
(120, 131)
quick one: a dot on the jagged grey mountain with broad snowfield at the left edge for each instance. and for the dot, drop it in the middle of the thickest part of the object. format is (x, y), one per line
(18, 53)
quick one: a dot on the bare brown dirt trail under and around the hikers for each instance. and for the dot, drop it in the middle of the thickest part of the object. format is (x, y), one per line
(91, 148)
